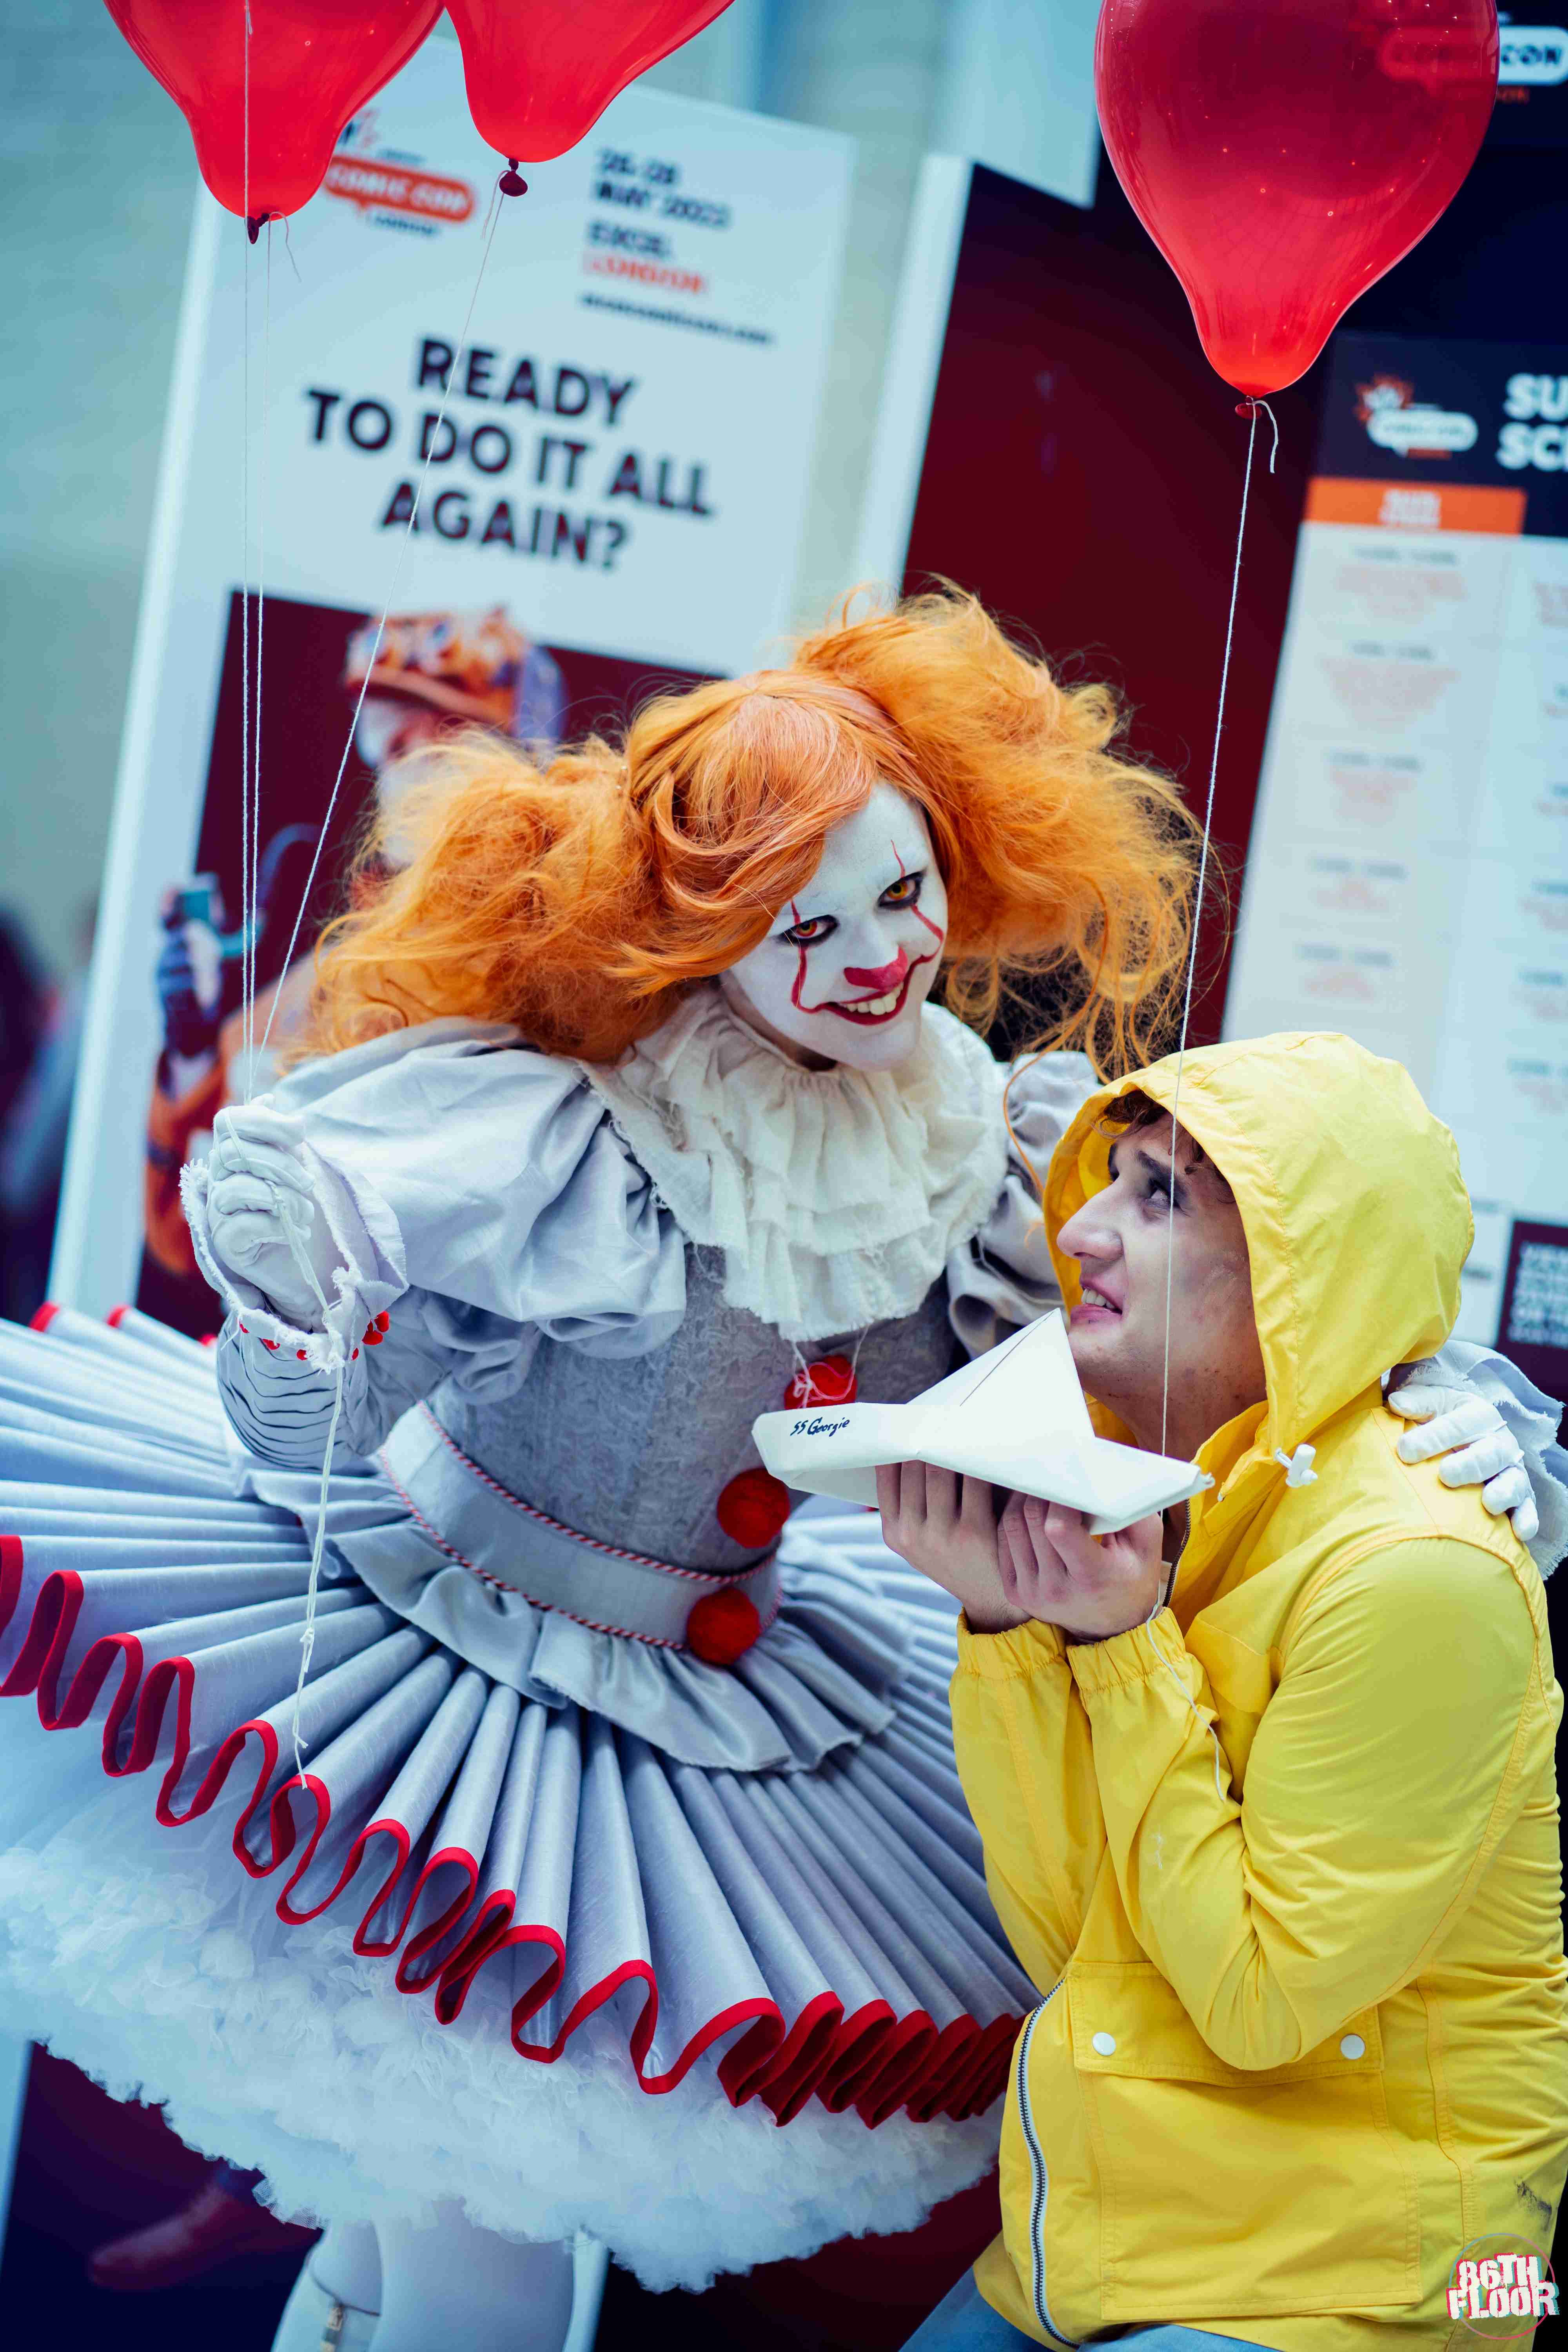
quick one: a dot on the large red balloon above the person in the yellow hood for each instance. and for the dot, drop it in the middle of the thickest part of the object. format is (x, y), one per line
(1285, 154)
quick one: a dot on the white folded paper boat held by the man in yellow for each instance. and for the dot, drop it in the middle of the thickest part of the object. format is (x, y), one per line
(1014, 1417)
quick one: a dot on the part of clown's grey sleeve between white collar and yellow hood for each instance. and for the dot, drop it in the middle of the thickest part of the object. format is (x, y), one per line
(1003, 1278)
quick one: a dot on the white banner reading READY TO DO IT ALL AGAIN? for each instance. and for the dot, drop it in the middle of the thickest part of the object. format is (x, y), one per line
(615, 474)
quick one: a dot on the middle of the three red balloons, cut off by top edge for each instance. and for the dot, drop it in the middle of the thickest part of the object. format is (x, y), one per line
(542, 72)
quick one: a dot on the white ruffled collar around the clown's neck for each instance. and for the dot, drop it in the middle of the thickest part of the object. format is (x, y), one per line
(836, 1196)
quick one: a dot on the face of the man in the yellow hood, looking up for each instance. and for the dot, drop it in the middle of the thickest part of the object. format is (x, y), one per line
(1158, 1224)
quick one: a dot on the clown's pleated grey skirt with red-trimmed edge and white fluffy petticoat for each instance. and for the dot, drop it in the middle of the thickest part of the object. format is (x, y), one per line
(337, 1977)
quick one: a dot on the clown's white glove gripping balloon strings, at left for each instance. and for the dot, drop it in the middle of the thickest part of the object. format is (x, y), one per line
(262, 1215)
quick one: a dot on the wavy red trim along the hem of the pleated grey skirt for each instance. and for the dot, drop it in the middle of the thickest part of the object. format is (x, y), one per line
(871, 2062)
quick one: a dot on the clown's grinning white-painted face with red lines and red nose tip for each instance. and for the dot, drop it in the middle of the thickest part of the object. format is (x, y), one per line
(855, 954)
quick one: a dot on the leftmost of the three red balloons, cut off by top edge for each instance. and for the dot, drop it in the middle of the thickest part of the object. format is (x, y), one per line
(311, 67)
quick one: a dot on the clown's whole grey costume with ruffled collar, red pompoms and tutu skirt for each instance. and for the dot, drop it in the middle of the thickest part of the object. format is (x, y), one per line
(537, 1819)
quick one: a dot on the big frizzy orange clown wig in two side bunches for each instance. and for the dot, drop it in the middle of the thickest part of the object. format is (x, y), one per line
(582, 900)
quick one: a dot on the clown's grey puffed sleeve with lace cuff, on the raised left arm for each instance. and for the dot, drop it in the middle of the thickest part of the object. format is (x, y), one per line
(478, 1198)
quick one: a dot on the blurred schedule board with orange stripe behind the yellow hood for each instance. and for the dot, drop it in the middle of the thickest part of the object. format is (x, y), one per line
(1409, 864)
